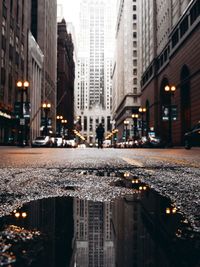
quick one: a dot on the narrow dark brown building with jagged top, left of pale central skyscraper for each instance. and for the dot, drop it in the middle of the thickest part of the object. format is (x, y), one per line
(65, 79)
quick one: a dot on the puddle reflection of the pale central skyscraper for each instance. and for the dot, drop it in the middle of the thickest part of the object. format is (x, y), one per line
(93, 241)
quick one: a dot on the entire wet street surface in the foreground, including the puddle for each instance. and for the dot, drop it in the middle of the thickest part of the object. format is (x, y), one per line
(109, 197)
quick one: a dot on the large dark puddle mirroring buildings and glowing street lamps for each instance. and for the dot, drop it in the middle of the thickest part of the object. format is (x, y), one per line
(141, 229)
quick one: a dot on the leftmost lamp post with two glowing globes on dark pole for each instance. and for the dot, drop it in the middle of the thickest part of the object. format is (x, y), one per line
(22, 87)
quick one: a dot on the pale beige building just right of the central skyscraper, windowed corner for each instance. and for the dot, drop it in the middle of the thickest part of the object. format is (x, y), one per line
(126, 85)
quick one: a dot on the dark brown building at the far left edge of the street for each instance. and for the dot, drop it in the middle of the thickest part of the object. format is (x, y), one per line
(14, 21)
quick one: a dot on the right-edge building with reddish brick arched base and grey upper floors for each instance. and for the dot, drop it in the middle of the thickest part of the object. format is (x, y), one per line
(170, 56)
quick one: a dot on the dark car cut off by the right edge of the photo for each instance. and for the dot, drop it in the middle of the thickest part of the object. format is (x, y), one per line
(192, 138)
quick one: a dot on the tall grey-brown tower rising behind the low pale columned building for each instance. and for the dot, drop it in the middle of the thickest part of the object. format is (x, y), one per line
(44, 30)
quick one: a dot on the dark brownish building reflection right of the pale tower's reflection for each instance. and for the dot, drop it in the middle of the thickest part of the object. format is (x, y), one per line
(127, 228)
